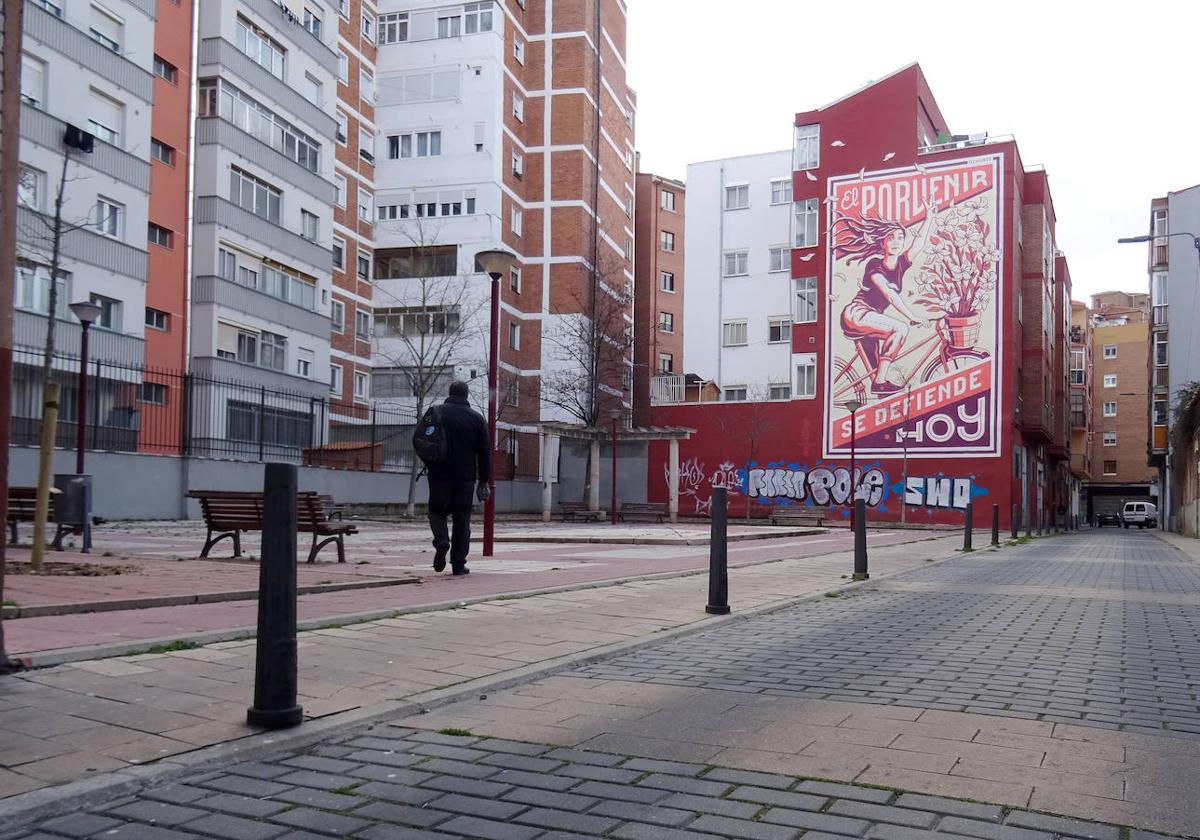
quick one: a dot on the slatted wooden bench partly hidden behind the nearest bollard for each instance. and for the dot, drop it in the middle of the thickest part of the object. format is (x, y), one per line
(229, 513)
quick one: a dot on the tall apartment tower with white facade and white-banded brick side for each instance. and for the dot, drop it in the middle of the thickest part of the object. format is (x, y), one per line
(505, 125)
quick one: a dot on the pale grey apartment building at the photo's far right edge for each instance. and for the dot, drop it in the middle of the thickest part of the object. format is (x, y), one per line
(1174, 266)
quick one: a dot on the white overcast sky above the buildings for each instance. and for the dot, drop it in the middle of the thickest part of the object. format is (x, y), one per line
(1106, 97)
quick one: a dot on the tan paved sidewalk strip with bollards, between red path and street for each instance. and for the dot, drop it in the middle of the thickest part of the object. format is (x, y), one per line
(73, 722)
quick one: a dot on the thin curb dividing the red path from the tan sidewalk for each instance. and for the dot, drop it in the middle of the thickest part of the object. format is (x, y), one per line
(45, 659)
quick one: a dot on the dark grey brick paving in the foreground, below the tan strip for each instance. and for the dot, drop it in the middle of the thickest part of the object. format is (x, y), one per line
(397, 783)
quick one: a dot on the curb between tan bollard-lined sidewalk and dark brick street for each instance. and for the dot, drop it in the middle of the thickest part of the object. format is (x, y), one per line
(77, 796)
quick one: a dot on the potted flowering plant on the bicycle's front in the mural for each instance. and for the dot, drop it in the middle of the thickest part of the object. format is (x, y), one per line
(961, 273)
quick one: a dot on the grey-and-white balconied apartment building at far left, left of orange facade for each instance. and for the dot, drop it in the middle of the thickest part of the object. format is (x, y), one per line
(86, 134)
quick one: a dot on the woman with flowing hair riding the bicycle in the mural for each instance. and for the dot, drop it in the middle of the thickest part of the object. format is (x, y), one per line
(884, 245)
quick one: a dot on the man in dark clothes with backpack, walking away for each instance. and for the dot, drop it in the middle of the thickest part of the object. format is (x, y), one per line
(465, 471)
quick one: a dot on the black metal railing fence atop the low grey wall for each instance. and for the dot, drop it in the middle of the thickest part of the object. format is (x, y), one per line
(170, 412)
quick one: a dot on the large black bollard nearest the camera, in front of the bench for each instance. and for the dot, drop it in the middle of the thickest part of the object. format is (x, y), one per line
(275, 668)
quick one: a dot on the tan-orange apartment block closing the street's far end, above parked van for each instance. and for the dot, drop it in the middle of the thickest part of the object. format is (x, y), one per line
(1120, 400)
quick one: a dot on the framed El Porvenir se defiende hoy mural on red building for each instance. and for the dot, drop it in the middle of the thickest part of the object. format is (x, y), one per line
(914, 310)
